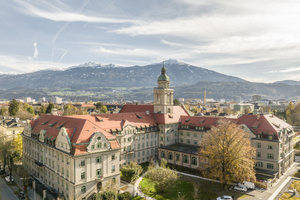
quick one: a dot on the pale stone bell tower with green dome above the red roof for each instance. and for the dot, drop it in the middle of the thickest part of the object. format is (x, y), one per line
(163, 95)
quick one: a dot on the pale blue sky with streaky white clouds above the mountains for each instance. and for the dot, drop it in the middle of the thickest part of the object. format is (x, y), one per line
(255, 40)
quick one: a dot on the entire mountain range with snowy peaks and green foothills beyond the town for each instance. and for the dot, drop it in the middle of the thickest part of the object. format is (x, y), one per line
(94, 81)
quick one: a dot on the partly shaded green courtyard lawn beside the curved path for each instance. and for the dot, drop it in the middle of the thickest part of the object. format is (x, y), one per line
(208, 190)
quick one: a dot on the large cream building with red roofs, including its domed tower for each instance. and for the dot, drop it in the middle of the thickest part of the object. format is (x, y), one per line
(77, 155)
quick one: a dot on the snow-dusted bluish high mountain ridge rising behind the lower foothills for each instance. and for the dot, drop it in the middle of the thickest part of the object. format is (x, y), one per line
(97, 75)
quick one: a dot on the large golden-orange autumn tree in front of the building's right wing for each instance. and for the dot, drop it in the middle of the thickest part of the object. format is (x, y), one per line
(226, 154)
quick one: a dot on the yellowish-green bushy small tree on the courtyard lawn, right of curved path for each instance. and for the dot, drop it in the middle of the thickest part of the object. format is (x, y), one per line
(162, 177)
